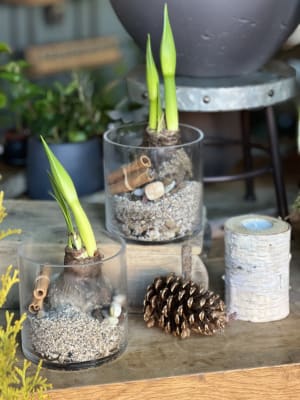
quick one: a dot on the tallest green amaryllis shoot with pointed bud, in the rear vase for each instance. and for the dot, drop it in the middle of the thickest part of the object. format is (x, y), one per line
(168, 67)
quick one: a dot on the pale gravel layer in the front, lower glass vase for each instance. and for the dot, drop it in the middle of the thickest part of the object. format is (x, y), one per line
(70, 336)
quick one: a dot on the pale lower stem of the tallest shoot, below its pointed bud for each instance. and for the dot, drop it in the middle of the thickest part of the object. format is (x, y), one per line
(171, 109)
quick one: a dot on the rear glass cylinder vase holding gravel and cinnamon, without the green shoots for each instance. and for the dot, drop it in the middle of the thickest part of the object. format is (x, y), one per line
(153, 193)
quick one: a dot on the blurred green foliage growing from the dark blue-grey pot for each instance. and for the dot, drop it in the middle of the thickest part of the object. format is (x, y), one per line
(67, 112)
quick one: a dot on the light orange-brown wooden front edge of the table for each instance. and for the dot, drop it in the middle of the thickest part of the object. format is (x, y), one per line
(279, 383)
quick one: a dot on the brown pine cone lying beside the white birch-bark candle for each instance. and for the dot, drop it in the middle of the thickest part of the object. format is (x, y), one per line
(180, 306)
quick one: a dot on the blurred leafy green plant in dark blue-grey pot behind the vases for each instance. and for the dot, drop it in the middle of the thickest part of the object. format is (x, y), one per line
(70, 118)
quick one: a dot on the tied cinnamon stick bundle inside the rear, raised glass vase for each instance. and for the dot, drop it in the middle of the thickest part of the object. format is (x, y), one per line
(131, 181)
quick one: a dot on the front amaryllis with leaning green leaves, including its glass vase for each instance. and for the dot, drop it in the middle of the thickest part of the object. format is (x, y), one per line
(74, 295)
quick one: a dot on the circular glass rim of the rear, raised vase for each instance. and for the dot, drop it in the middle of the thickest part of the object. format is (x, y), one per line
(140, 124)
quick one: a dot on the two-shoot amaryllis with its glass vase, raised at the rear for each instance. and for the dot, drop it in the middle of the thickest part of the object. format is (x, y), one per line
(153, 170)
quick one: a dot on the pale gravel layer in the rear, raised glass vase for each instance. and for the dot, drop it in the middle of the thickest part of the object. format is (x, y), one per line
(174, 216)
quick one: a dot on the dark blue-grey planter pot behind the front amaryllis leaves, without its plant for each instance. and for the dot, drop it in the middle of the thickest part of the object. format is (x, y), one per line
(82, 160)
